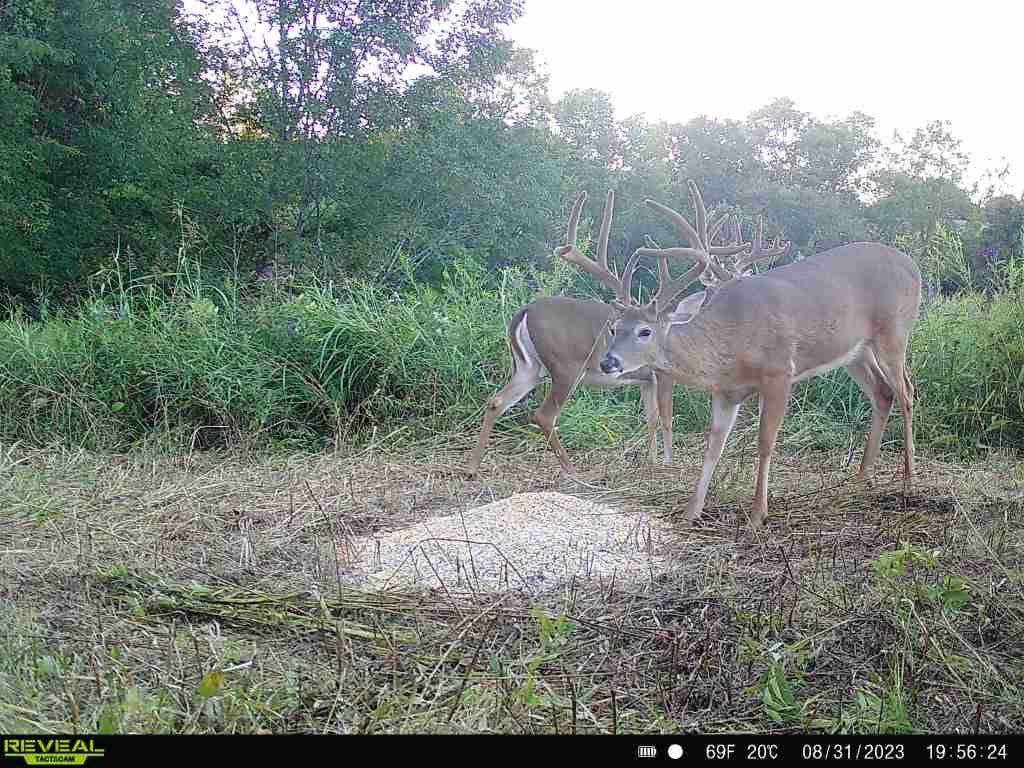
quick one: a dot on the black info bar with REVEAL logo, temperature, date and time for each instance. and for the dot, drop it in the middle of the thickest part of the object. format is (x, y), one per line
(104, 751)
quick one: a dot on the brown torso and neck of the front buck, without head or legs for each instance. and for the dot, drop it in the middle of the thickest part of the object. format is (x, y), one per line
(757, 327)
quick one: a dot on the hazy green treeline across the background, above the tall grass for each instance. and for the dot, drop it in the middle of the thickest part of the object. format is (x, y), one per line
(349, 137)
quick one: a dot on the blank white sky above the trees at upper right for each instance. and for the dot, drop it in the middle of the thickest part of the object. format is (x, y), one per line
(903, 62)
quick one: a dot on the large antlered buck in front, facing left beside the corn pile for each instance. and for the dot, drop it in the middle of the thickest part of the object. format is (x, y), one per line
(854, 306)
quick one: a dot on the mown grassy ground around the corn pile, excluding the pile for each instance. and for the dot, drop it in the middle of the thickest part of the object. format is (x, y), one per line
(201, 593)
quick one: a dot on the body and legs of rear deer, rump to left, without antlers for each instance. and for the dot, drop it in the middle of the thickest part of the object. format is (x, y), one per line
(566, 339)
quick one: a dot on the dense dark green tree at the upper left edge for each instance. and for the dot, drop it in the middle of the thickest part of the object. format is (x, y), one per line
(103, 103)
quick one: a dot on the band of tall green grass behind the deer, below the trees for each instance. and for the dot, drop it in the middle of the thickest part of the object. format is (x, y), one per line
(330, 363)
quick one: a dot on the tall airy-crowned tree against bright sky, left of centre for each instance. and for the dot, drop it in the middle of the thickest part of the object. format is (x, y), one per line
(332, 73)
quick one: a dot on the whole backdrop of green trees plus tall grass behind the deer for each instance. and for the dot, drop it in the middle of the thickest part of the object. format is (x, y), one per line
(409, 158)
